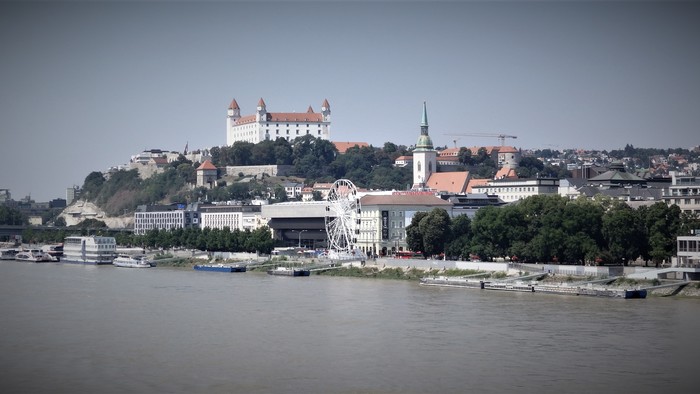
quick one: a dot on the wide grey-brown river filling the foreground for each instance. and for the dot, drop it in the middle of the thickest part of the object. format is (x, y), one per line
(71, 328)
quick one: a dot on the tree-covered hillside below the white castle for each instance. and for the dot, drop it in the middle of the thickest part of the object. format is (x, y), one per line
(313, 160)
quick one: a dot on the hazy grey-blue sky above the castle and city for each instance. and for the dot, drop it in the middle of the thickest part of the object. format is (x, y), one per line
(85, 85)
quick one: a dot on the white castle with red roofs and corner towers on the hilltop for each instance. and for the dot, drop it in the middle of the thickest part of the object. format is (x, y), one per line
(265, 125)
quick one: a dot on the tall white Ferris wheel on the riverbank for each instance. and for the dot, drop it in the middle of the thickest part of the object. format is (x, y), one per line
(342, 215)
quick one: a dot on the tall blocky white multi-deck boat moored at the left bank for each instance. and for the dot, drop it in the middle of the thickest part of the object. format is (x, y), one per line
(89, 250)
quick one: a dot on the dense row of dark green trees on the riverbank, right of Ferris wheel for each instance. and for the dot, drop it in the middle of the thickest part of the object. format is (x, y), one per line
(555, 229)
